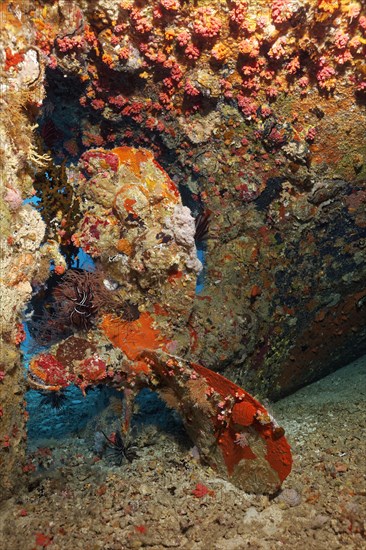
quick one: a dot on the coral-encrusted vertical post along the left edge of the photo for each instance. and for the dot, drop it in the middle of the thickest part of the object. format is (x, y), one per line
(21, 231)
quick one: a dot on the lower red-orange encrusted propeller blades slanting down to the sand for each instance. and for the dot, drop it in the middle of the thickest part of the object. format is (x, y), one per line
(233, 432)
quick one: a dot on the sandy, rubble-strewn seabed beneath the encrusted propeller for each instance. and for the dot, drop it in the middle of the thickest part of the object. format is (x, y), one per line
(78, 501)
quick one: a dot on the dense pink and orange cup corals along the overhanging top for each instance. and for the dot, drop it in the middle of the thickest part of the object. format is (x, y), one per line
(250, 48)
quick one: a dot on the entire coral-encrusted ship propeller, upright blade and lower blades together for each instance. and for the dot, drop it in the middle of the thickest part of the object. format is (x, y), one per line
(128, 323)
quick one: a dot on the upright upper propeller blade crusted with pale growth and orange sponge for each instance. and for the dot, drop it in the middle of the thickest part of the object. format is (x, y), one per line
(140, 233)
